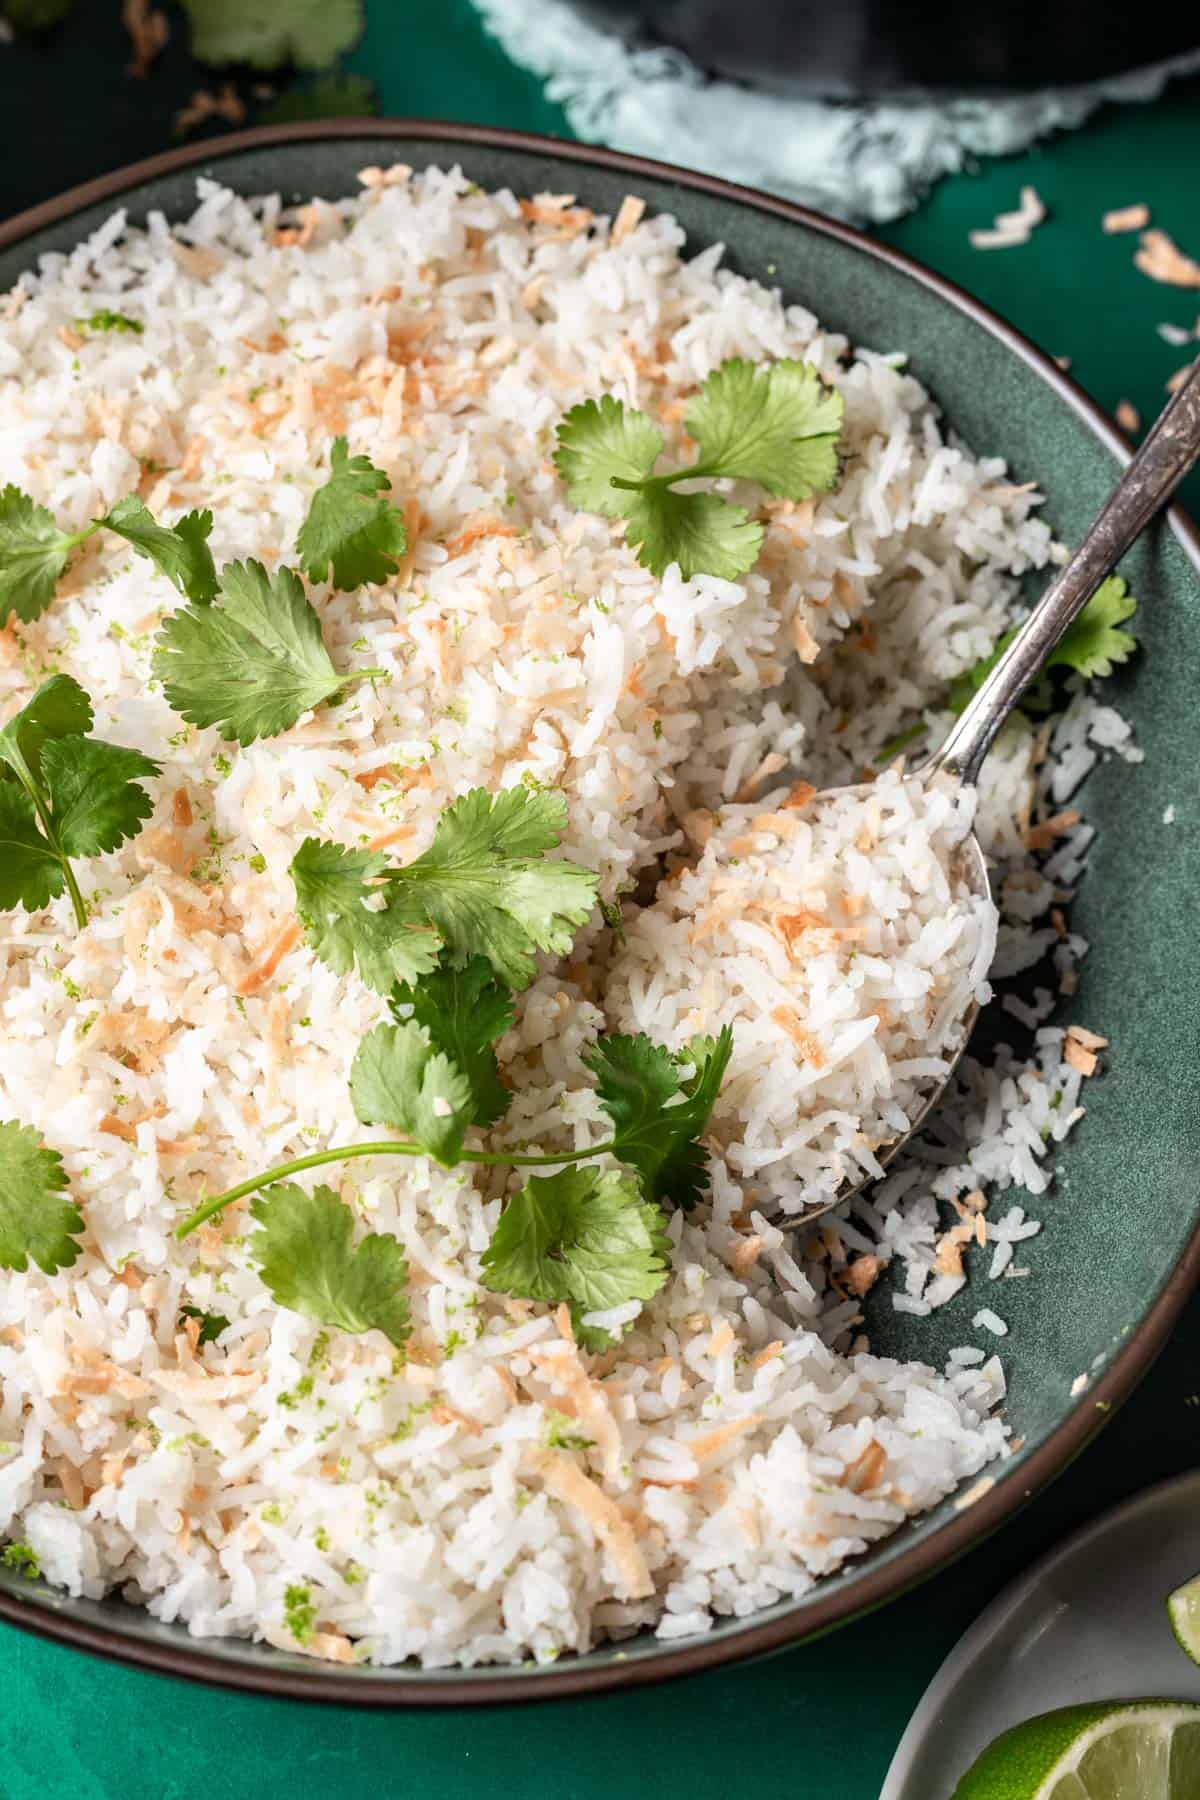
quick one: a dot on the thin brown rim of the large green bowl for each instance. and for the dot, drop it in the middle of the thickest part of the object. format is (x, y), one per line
(969, 1527)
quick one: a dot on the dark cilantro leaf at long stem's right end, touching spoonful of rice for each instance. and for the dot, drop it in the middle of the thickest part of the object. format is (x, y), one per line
(658, 1115)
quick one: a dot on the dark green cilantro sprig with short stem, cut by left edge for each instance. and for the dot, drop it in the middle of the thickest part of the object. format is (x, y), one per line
(64, 795)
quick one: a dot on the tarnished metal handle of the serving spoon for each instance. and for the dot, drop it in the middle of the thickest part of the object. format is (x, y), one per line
(1161, 463)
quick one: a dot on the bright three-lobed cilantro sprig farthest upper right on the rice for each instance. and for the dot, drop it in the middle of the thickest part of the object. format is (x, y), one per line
(776, 427)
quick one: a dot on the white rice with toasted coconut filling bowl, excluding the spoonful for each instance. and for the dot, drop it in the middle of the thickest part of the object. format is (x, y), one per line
(744, 1441)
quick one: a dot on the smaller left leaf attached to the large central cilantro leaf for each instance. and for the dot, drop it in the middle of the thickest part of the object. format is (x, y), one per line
(332, 892)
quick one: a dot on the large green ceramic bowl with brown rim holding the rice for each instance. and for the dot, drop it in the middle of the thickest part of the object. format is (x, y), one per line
(1122, 1245)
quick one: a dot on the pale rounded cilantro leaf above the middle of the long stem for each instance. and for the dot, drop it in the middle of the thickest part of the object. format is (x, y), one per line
(400, 1079)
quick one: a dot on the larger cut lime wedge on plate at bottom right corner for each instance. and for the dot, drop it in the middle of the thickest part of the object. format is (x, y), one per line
(1120, 1750)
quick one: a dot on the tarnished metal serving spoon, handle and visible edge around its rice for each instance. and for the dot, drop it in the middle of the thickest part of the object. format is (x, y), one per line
(1169, 453)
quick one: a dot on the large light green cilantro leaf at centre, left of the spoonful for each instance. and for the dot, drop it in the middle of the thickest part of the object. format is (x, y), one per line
(487, 888)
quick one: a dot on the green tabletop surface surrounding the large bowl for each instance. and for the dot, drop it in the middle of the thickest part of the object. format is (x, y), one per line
(818, 1723)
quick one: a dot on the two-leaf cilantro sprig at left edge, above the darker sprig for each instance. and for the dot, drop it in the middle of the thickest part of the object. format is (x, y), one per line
(35, 553)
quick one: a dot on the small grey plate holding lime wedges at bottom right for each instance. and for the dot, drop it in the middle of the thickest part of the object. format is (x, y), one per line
(1088, 1623)
